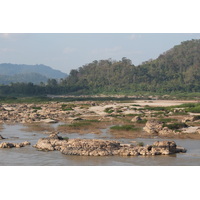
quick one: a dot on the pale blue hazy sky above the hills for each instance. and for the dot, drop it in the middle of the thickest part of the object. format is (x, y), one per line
(70, 51)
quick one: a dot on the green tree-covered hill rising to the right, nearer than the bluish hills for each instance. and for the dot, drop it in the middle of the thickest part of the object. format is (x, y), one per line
(178, 69)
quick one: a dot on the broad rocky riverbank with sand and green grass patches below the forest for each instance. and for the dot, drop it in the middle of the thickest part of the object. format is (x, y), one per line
(122, 120)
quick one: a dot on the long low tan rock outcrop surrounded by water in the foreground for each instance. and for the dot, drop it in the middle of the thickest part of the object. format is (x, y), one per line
(97, 147)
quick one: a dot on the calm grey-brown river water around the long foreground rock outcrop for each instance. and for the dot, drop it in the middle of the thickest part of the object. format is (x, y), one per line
(29, 156)
